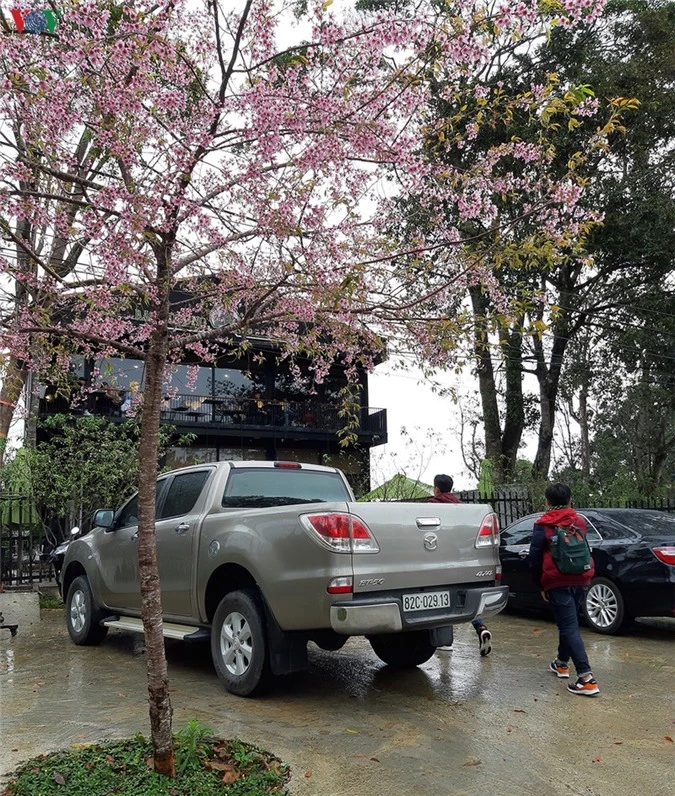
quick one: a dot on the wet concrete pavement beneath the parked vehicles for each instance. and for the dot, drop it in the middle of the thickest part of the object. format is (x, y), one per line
(456, 726)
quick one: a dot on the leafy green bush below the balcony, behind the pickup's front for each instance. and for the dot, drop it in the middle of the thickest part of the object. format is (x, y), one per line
(87, 463)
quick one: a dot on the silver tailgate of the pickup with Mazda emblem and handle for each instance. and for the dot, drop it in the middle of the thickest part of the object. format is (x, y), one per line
(422, 544)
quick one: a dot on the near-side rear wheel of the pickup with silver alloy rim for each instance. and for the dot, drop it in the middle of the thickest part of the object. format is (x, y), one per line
(239, 644)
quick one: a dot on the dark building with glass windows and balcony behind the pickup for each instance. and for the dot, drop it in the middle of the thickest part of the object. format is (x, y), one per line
(236, 408)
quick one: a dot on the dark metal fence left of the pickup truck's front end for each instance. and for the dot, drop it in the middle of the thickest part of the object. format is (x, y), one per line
(23, 558)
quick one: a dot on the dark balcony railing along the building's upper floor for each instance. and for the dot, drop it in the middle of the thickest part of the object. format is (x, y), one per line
(242, 413)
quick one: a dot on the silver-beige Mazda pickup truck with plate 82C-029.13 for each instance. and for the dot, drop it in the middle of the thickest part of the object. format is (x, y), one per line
(262, 557)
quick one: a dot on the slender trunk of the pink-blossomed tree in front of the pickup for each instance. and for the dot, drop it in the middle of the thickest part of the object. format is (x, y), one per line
(151, 606)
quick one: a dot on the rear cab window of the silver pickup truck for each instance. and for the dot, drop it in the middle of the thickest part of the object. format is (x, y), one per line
(251, 488)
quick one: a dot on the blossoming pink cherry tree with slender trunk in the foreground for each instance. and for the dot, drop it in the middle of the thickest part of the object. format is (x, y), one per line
(250, 155)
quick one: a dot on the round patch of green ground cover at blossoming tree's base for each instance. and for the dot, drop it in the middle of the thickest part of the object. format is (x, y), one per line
(206, 766)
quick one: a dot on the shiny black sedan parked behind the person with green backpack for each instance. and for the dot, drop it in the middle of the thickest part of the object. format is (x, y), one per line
(634, 554)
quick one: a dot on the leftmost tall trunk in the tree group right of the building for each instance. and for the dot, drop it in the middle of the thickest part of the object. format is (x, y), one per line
(486, 379)
